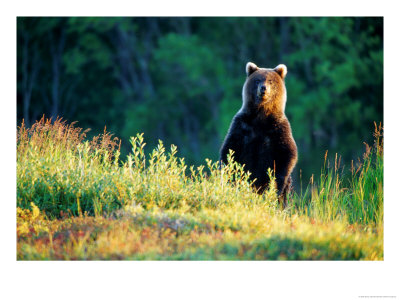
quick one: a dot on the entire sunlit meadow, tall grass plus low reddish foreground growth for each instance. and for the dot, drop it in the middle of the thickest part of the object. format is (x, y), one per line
(76, 199)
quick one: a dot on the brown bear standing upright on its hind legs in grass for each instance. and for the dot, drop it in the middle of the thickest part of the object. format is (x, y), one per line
(260, 133)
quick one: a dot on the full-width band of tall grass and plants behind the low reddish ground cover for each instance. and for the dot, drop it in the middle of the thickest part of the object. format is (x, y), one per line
(62, 173)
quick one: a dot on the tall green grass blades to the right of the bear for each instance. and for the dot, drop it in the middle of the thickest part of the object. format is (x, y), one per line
(354, 195)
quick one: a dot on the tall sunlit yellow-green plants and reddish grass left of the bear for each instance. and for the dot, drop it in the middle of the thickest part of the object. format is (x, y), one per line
(61, 173)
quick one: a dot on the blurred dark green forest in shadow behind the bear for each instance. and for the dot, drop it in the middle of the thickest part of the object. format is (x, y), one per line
(180, 79)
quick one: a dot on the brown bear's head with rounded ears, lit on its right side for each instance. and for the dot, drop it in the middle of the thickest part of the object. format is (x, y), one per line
(264, 90)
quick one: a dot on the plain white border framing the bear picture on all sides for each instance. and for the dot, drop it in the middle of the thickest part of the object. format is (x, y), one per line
(197, 280)
